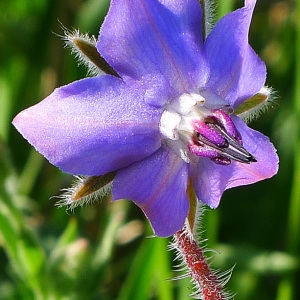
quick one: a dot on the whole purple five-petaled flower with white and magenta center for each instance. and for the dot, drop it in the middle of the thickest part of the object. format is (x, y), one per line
(168, 118)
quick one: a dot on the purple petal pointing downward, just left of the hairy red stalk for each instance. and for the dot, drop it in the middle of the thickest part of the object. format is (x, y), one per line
(158, 186)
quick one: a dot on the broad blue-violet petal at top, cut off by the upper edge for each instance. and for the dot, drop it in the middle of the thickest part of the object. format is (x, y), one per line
(147, 37)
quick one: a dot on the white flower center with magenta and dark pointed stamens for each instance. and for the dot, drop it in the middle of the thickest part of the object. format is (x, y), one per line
(192, 130)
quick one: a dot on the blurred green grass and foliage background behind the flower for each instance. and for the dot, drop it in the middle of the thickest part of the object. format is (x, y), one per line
(101, 251)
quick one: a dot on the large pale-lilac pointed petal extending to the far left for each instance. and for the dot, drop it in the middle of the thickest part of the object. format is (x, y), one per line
(93, 126)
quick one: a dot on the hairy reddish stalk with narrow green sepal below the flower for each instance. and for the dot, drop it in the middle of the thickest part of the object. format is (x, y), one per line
(208, 284)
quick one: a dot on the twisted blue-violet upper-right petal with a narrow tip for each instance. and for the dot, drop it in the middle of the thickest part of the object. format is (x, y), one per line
(237, 73)
